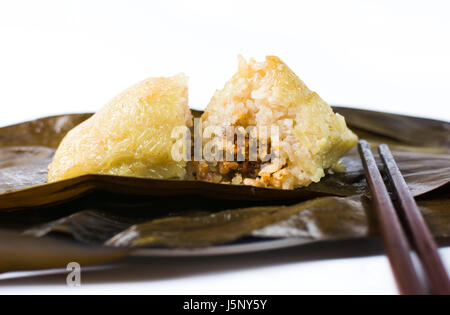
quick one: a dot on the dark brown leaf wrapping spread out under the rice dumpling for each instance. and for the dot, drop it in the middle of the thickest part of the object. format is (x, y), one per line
(101, 212)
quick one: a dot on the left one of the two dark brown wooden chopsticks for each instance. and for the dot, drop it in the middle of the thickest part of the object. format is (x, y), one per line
(394, 238)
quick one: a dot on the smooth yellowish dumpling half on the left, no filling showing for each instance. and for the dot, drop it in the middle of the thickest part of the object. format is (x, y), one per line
(130, 136)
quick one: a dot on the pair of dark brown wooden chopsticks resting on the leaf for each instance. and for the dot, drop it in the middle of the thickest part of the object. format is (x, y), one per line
(400, 240)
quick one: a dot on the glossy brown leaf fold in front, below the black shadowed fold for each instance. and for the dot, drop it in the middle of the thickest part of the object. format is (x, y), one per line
(320, 219)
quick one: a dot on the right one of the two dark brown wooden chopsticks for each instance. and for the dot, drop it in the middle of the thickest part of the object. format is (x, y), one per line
(420, 235)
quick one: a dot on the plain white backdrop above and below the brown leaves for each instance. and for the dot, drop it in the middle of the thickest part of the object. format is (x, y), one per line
(74, 56)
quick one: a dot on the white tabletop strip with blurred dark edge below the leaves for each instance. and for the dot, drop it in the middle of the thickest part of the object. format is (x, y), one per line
(327, 268)
